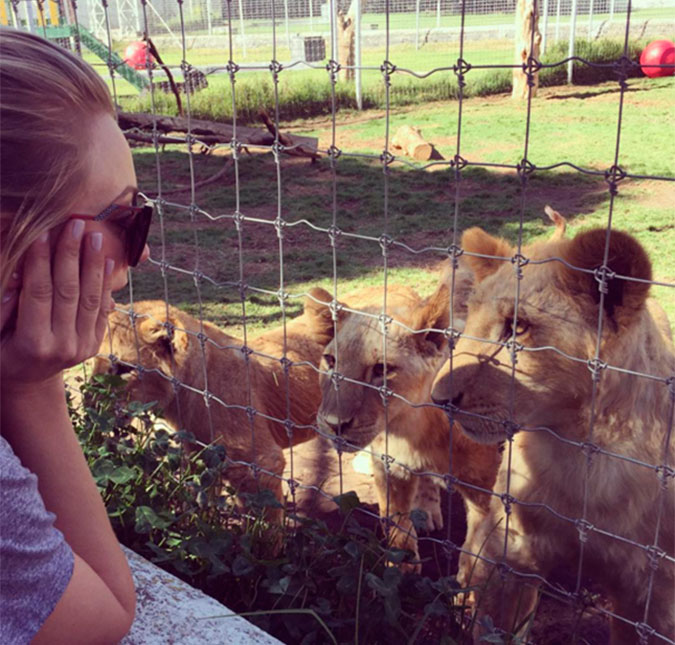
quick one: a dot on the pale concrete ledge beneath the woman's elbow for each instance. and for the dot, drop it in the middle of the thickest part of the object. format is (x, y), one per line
(170, 611)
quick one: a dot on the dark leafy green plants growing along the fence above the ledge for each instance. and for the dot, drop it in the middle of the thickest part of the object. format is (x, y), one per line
(164, 502)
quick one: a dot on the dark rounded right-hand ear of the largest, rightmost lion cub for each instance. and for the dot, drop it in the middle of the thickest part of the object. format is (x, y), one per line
(626, 258)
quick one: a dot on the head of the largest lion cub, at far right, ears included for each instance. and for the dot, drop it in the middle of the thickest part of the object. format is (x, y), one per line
(552, 335)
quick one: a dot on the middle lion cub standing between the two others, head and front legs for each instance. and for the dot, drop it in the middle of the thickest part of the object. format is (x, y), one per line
(358, 405)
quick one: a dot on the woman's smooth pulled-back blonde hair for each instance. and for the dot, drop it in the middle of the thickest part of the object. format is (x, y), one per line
(47, 98)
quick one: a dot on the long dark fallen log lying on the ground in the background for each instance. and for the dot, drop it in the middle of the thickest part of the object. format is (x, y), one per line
(213, 132)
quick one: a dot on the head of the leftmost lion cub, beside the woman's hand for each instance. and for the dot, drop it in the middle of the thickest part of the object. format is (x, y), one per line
(149, 344)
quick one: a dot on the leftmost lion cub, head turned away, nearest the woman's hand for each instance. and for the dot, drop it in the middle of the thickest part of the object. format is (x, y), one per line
(254, 410)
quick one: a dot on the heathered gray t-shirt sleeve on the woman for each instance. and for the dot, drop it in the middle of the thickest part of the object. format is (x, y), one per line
(36, 563)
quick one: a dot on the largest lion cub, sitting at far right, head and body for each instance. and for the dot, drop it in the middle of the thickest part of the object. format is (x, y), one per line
(614, 507)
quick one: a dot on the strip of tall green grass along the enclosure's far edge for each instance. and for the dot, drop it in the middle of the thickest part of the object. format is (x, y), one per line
(304, 94)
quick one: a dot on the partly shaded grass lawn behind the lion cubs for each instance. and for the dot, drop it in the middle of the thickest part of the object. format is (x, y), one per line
(575, 125)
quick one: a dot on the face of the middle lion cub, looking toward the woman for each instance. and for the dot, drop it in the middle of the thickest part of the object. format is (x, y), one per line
(365, 383)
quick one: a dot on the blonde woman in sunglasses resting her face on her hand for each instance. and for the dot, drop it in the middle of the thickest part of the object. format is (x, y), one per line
(69, 232)
